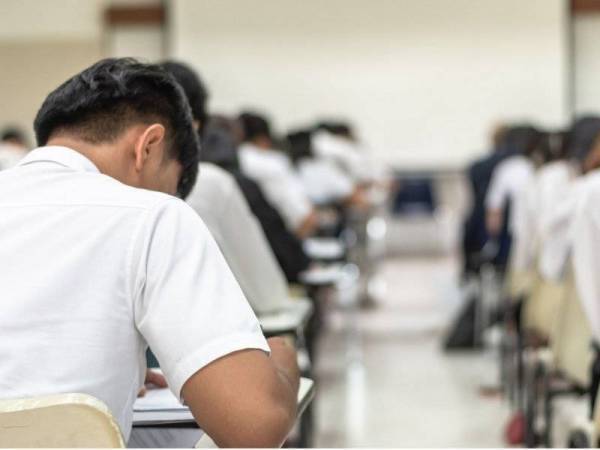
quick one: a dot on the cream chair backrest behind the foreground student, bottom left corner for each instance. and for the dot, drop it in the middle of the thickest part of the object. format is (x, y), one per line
(66, 420)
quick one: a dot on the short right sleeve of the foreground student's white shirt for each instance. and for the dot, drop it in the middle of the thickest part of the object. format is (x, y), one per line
(187, 304)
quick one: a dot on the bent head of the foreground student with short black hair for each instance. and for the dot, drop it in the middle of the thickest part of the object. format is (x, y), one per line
(131, 119)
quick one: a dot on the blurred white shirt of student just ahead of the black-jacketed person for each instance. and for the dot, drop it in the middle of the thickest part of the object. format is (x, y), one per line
(281, 185)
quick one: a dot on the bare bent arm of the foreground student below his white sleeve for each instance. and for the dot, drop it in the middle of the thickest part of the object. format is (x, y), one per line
(246, 399)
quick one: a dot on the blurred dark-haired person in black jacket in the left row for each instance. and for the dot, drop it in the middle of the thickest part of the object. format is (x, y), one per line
(220, 146)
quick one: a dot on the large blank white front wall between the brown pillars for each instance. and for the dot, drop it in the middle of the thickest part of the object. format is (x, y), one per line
(424, 80)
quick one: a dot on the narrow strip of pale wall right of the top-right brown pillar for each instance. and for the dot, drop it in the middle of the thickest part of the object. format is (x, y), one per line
(587, 63)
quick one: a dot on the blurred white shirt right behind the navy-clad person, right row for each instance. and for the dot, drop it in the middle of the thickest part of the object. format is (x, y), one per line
(513, 180)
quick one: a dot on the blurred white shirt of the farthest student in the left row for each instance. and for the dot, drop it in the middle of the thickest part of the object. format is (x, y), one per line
(345, 154)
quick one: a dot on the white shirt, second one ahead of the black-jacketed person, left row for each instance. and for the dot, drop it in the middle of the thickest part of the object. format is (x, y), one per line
(323, 181)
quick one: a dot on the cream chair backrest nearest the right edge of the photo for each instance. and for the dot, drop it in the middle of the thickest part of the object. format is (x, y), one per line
(571, 346)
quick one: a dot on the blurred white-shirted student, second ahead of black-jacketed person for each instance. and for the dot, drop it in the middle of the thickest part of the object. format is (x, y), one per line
(324, 182)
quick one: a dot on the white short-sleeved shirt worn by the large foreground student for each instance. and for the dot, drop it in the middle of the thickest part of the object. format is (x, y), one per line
(93, 271)
